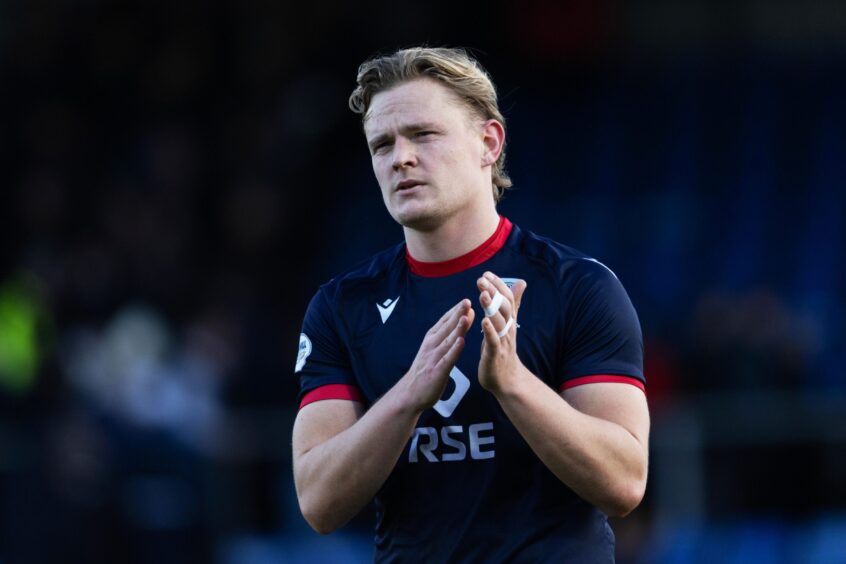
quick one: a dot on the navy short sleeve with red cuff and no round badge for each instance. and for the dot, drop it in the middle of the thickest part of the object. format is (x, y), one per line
(602, 338)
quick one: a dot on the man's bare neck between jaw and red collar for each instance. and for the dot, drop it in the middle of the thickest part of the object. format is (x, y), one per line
(457, 236)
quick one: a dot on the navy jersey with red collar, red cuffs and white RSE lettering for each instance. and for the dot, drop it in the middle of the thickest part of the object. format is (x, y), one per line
(468, 487)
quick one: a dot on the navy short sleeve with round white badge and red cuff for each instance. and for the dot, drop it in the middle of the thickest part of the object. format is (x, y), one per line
(322, 359)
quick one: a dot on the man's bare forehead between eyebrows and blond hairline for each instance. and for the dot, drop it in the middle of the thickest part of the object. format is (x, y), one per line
(418, 100)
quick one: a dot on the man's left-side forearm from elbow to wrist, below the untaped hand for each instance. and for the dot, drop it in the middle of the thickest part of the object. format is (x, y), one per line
(336, 478)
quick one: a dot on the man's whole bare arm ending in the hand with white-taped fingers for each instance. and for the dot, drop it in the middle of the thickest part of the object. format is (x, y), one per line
(594, 438)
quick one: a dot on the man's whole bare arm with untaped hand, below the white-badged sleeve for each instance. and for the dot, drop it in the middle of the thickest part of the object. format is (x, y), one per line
(343, 455)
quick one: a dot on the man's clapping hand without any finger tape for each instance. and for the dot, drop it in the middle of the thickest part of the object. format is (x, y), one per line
(441, 347)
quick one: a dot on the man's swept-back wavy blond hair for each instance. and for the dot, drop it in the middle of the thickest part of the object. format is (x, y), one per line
(454, 68)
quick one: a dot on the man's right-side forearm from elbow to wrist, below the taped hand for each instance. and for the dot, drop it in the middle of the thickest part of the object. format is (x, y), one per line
(598, 459)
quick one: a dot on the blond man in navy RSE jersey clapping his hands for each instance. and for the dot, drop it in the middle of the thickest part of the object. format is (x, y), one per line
(511, 443)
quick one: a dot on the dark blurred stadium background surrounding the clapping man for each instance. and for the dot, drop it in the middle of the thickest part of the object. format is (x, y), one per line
(177, 178)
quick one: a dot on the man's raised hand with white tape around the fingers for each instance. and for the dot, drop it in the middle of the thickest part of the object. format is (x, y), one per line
(499, 363)
